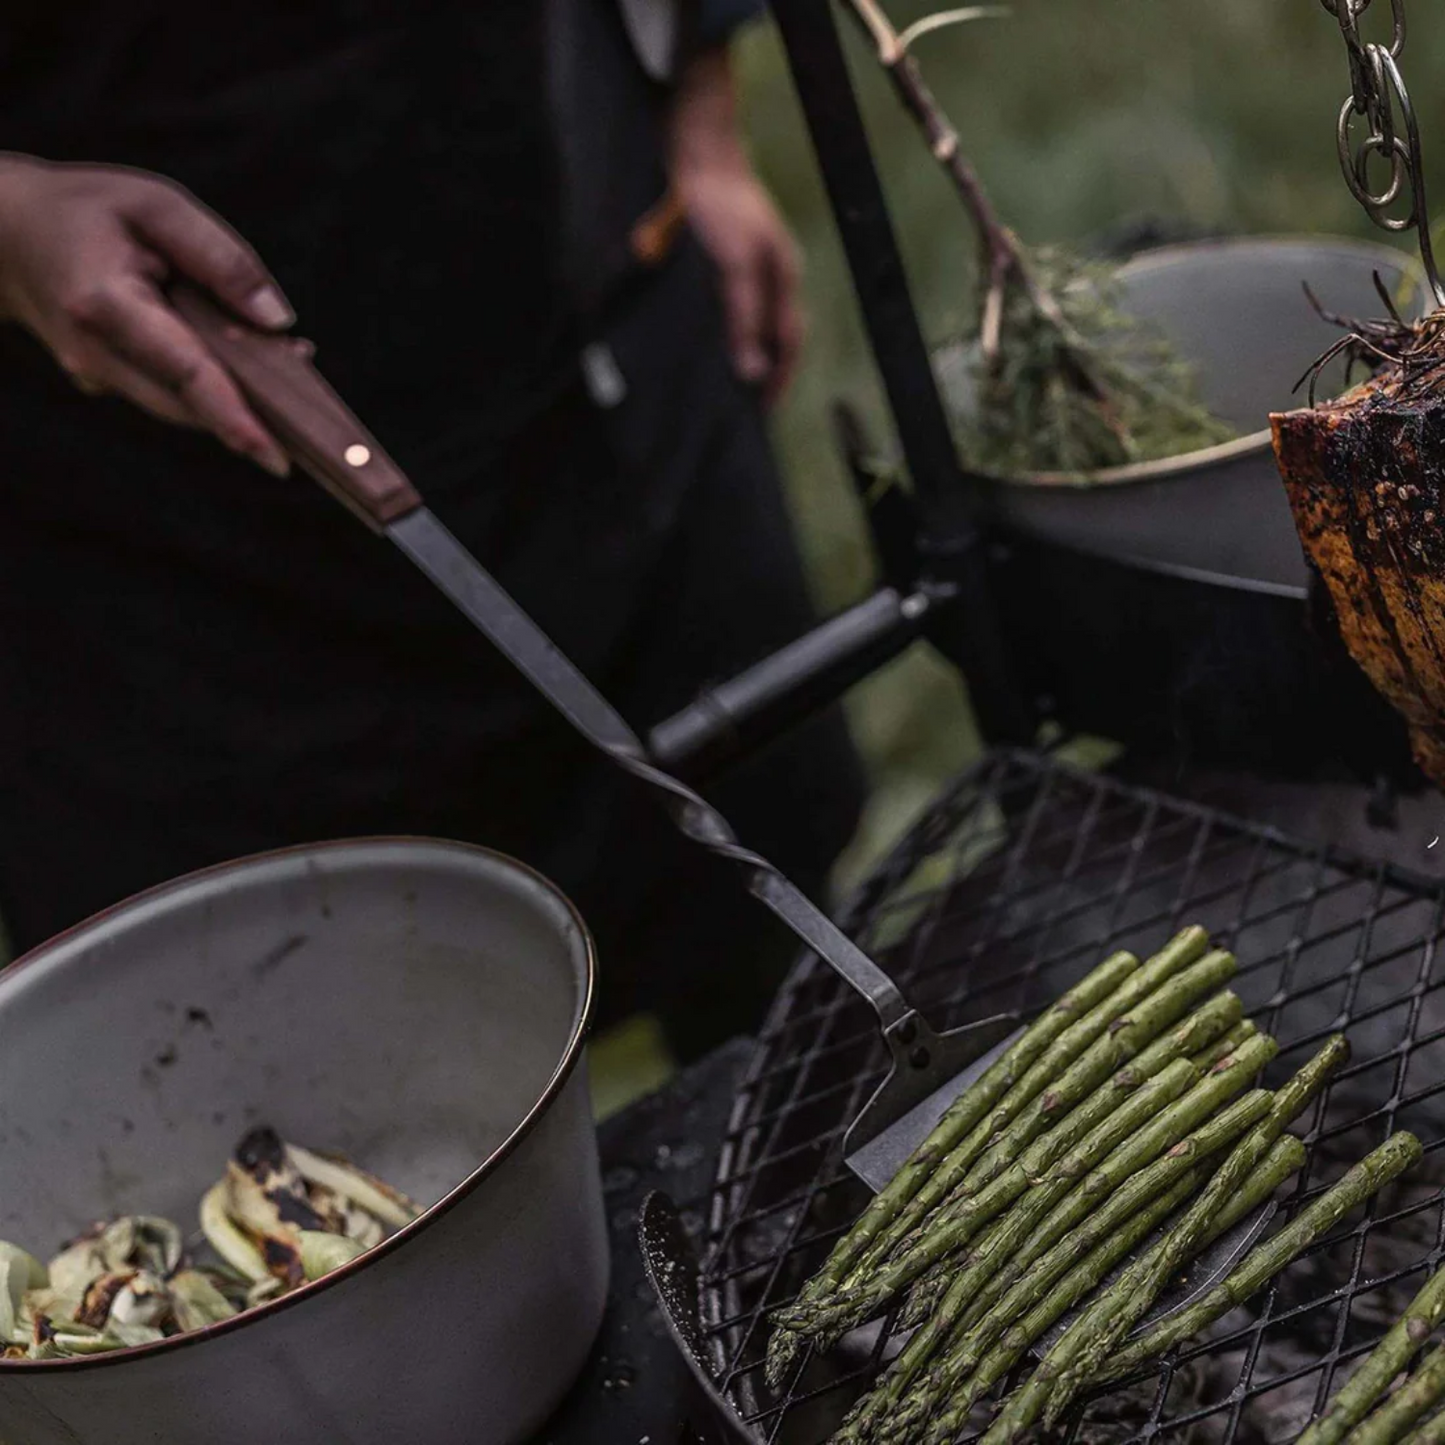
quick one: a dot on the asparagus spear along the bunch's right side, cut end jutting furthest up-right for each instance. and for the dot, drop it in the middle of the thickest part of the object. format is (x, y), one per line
(1060, 1376)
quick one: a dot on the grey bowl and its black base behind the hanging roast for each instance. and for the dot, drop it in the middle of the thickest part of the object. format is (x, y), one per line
(1170, 605)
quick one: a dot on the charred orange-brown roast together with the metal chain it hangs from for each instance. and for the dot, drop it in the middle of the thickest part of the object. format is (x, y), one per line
(1365, 473)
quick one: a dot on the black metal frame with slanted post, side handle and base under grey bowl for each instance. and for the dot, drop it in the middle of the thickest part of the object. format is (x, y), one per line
(1186, 671)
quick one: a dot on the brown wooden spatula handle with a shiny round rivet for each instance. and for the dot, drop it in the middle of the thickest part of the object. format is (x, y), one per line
(309, 418)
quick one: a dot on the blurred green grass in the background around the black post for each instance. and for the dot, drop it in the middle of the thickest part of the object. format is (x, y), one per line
(1082, 116)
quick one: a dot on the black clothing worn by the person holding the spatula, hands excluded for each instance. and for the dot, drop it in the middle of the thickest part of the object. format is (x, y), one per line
(200, 661)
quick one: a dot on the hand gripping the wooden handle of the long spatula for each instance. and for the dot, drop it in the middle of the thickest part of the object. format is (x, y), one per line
(85, 256)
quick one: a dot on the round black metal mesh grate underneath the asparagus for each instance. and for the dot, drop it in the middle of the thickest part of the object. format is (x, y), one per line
(1014, 885)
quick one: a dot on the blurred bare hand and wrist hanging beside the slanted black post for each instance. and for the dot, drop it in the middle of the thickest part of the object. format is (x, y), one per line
(738, 223)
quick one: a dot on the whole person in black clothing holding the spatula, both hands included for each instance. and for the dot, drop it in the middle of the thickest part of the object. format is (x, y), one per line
(534, 258)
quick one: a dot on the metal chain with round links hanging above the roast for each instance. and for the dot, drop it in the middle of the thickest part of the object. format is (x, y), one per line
(1378, 95)
